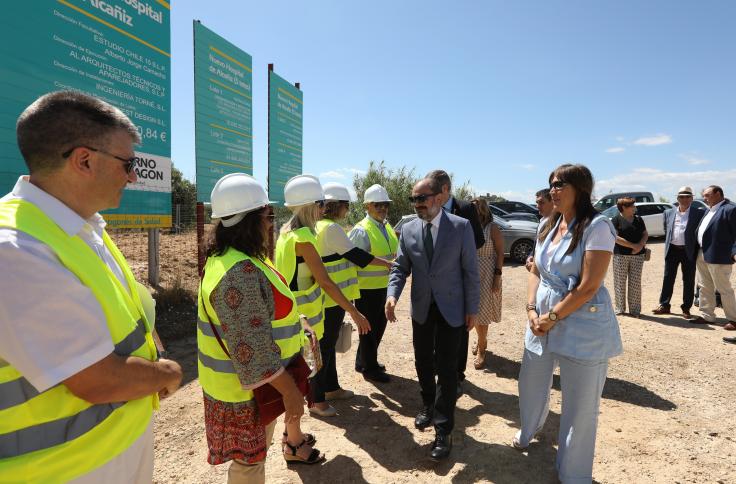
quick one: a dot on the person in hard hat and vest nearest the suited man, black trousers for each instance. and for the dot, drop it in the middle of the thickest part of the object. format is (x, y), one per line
(375, 235)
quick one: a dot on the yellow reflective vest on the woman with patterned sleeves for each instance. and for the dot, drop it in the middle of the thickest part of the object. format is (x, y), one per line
(216, 371)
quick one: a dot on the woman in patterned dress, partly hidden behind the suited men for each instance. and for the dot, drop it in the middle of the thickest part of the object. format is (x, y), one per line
(490, 261)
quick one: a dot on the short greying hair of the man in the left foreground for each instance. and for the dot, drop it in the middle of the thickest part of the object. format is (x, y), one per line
(60, 121)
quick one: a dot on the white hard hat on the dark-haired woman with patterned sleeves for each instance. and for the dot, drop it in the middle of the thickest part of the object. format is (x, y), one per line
(237, 193)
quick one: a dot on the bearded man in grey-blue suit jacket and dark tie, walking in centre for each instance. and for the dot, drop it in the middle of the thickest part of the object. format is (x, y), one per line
(438, 250)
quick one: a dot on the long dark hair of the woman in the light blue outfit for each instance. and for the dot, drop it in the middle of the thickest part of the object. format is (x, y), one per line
(580, 178)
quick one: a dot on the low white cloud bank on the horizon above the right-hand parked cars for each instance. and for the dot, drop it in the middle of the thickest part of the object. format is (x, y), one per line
(666, 183)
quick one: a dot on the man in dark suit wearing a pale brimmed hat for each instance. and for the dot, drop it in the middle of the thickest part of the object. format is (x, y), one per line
(680, 249)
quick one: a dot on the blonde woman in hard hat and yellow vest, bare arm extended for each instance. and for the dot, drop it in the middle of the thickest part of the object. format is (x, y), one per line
(298, 259)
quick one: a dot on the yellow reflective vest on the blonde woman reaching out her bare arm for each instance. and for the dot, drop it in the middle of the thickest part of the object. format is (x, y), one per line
(311, 301)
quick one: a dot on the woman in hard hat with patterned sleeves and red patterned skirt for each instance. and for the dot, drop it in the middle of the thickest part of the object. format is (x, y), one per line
(249, 338)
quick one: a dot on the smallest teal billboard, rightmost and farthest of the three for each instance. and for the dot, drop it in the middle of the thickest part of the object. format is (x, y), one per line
(285, 108)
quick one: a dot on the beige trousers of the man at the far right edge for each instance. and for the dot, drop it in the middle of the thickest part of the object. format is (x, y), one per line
(712, 278)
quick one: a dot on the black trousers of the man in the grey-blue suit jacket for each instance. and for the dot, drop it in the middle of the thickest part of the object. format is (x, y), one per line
(436, 346)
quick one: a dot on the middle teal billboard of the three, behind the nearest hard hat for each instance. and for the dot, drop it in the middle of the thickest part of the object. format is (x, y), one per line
(223, 114)
